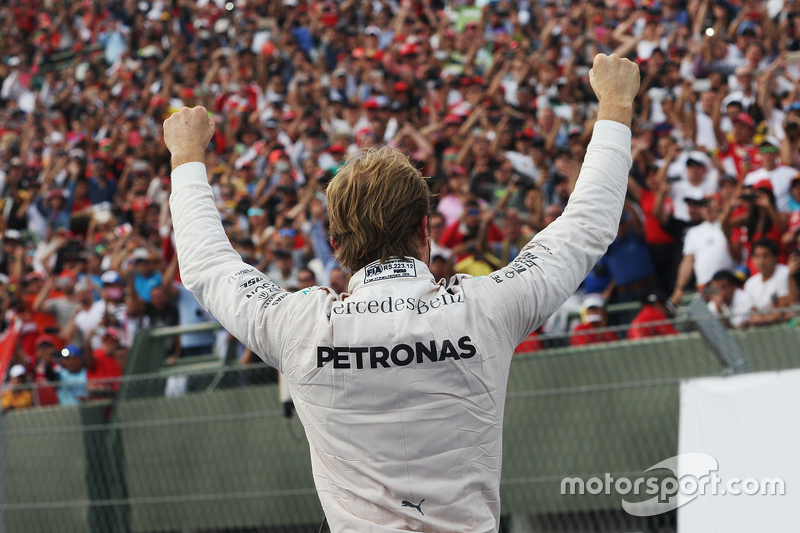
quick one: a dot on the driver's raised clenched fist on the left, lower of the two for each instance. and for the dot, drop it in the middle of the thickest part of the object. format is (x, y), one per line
(187, 134)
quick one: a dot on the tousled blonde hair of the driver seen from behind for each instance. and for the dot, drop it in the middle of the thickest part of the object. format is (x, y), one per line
(376, 202)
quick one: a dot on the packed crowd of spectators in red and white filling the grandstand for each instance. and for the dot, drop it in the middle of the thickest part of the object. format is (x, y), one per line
(490, 99)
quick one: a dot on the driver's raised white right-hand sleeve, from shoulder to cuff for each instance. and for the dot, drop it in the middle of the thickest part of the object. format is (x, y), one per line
(550, 268)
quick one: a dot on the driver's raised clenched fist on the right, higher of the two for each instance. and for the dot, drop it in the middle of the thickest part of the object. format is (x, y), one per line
(615, 81)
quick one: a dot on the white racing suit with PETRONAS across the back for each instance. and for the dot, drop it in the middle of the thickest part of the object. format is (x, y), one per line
(401, 383)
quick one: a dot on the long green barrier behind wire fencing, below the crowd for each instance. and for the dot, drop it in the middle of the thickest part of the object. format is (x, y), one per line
(218, 455)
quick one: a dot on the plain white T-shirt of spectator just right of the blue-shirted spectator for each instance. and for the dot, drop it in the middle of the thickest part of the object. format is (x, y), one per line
(709, 246)
